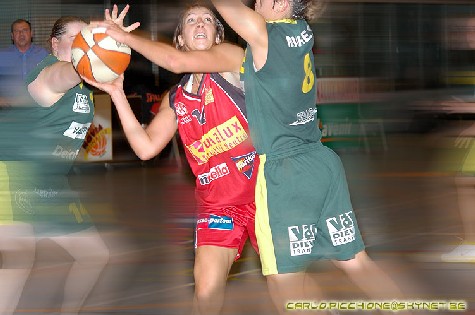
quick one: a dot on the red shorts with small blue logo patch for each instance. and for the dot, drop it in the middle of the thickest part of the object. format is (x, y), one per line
(227, 227)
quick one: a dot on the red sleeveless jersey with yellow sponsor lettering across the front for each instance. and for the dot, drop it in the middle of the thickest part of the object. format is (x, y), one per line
(213, 128)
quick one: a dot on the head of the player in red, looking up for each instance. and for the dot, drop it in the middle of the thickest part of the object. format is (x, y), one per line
(199, 30)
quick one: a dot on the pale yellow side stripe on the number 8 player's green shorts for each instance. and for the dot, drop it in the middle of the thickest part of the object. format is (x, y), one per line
(263, 230)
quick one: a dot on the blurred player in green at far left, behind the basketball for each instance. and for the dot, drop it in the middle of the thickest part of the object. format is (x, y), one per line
(44, 138)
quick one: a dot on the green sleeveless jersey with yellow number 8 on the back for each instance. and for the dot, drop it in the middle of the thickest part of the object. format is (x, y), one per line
(281, 96)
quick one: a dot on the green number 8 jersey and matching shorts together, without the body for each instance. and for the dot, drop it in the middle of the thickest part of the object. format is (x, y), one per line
(318, 221)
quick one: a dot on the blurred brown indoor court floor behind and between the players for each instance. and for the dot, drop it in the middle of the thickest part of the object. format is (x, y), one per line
(405, 204)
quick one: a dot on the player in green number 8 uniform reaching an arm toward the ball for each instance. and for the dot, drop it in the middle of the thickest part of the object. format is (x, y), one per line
(304, 212)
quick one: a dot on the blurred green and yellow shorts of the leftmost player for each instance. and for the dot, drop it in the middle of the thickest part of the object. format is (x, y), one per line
(43, 199)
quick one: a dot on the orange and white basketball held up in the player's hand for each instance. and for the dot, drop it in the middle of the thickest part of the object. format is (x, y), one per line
(99, 57)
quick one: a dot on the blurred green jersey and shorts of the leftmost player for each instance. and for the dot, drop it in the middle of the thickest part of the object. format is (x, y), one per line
(40, 145)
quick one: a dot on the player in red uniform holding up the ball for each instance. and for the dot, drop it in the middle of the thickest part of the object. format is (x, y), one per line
(208, 111)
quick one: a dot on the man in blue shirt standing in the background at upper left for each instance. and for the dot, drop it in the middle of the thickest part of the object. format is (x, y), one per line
(17, 60)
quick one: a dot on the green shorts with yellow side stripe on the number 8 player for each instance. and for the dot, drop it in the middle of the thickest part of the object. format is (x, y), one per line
(304, 211)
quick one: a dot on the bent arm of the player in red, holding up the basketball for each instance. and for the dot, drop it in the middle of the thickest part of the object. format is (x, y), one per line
(146, 143)
